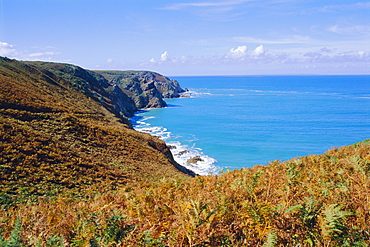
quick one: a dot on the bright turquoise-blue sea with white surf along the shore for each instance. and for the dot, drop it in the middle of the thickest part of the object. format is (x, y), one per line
(231, 122)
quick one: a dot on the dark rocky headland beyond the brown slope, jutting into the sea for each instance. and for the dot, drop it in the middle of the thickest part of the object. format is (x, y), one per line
(122, 92)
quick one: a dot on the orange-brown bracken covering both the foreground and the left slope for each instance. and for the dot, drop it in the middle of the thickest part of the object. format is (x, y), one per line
(72, 174)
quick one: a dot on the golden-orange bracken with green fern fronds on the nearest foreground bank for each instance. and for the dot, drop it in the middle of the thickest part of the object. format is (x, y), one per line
(318, 200)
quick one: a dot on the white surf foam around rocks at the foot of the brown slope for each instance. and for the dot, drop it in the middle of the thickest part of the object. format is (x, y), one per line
(190, 157)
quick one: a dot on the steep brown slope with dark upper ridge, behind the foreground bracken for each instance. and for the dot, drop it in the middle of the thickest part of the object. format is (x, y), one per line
(61, 134)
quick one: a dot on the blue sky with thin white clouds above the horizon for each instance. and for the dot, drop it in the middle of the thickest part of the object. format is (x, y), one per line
(194, 37)
